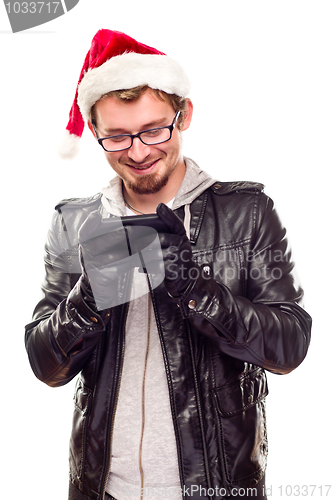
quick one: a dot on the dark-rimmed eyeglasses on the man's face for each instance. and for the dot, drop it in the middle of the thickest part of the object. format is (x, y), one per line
(114, 143)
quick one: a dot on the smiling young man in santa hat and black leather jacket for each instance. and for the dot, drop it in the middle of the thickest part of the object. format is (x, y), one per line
(170, 342)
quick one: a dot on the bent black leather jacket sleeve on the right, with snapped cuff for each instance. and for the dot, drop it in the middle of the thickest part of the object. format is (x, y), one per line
(267, 326)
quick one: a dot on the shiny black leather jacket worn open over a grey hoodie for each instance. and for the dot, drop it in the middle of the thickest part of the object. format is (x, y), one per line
(240, 317)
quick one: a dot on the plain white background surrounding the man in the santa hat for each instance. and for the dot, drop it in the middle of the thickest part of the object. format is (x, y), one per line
(262, 90)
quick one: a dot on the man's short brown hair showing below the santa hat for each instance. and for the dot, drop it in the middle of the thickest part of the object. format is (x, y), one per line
(178, 103)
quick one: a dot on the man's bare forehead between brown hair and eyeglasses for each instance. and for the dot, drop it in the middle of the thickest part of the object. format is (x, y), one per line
(132, 116)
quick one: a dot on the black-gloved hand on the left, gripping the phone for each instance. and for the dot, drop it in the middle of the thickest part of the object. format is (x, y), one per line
(108, 250)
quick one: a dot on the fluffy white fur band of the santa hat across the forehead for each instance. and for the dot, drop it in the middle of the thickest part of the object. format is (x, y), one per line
(130, 70)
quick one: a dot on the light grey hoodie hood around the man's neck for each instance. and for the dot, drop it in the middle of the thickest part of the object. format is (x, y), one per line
(195, 182)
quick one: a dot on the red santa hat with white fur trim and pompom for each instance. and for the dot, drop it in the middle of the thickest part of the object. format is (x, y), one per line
(116, 61)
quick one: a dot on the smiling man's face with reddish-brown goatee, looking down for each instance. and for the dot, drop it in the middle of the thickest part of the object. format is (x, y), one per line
(144, 169)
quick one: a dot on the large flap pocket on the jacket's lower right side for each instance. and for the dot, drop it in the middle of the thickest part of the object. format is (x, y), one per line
(243, 437)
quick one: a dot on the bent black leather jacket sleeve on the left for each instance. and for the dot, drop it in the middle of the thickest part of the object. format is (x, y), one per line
(64, 330)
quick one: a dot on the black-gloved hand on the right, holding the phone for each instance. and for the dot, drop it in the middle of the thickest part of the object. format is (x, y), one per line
(177, 253)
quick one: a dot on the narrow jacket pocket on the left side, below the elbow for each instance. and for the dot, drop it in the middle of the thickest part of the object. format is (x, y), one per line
(82, 400)
